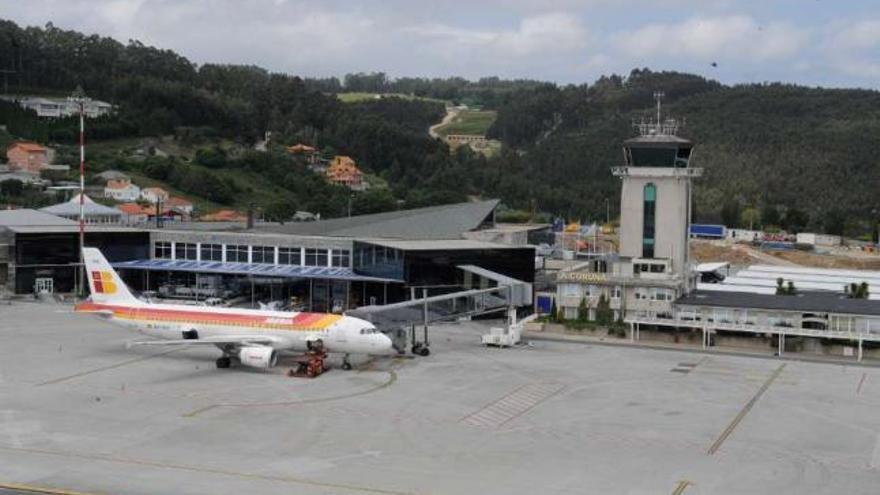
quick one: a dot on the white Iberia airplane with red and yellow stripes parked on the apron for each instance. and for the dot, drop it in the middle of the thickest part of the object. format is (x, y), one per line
(251, 337)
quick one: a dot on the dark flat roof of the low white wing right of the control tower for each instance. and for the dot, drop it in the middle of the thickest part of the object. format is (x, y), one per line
(811, 302)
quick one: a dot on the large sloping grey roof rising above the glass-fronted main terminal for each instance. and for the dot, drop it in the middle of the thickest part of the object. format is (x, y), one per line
(435, 222)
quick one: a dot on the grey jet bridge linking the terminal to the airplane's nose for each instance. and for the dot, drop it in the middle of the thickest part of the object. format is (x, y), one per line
(483, 292)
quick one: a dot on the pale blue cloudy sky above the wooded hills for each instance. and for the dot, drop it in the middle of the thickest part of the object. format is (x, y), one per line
(831, 43)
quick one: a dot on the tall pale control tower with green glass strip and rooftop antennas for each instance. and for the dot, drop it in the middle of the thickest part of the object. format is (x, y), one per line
(655, 200)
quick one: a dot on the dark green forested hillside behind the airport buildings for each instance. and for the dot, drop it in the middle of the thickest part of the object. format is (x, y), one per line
(775, 155)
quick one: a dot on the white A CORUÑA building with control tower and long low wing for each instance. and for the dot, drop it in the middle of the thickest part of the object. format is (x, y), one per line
(651, 282)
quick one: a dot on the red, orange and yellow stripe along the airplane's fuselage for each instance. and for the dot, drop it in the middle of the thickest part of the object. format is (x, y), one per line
(300, 322)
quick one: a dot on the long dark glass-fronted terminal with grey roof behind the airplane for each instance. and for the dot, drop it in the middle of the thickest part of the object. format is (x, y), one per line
(330, 265)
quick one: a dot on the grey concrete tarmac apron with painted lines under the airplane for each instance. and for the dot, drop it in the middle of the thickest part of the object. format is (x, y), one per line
(81, 413)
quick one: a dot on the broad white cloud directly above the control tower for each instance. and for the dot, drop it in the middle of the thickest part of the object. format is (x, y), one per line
(735, 37)
